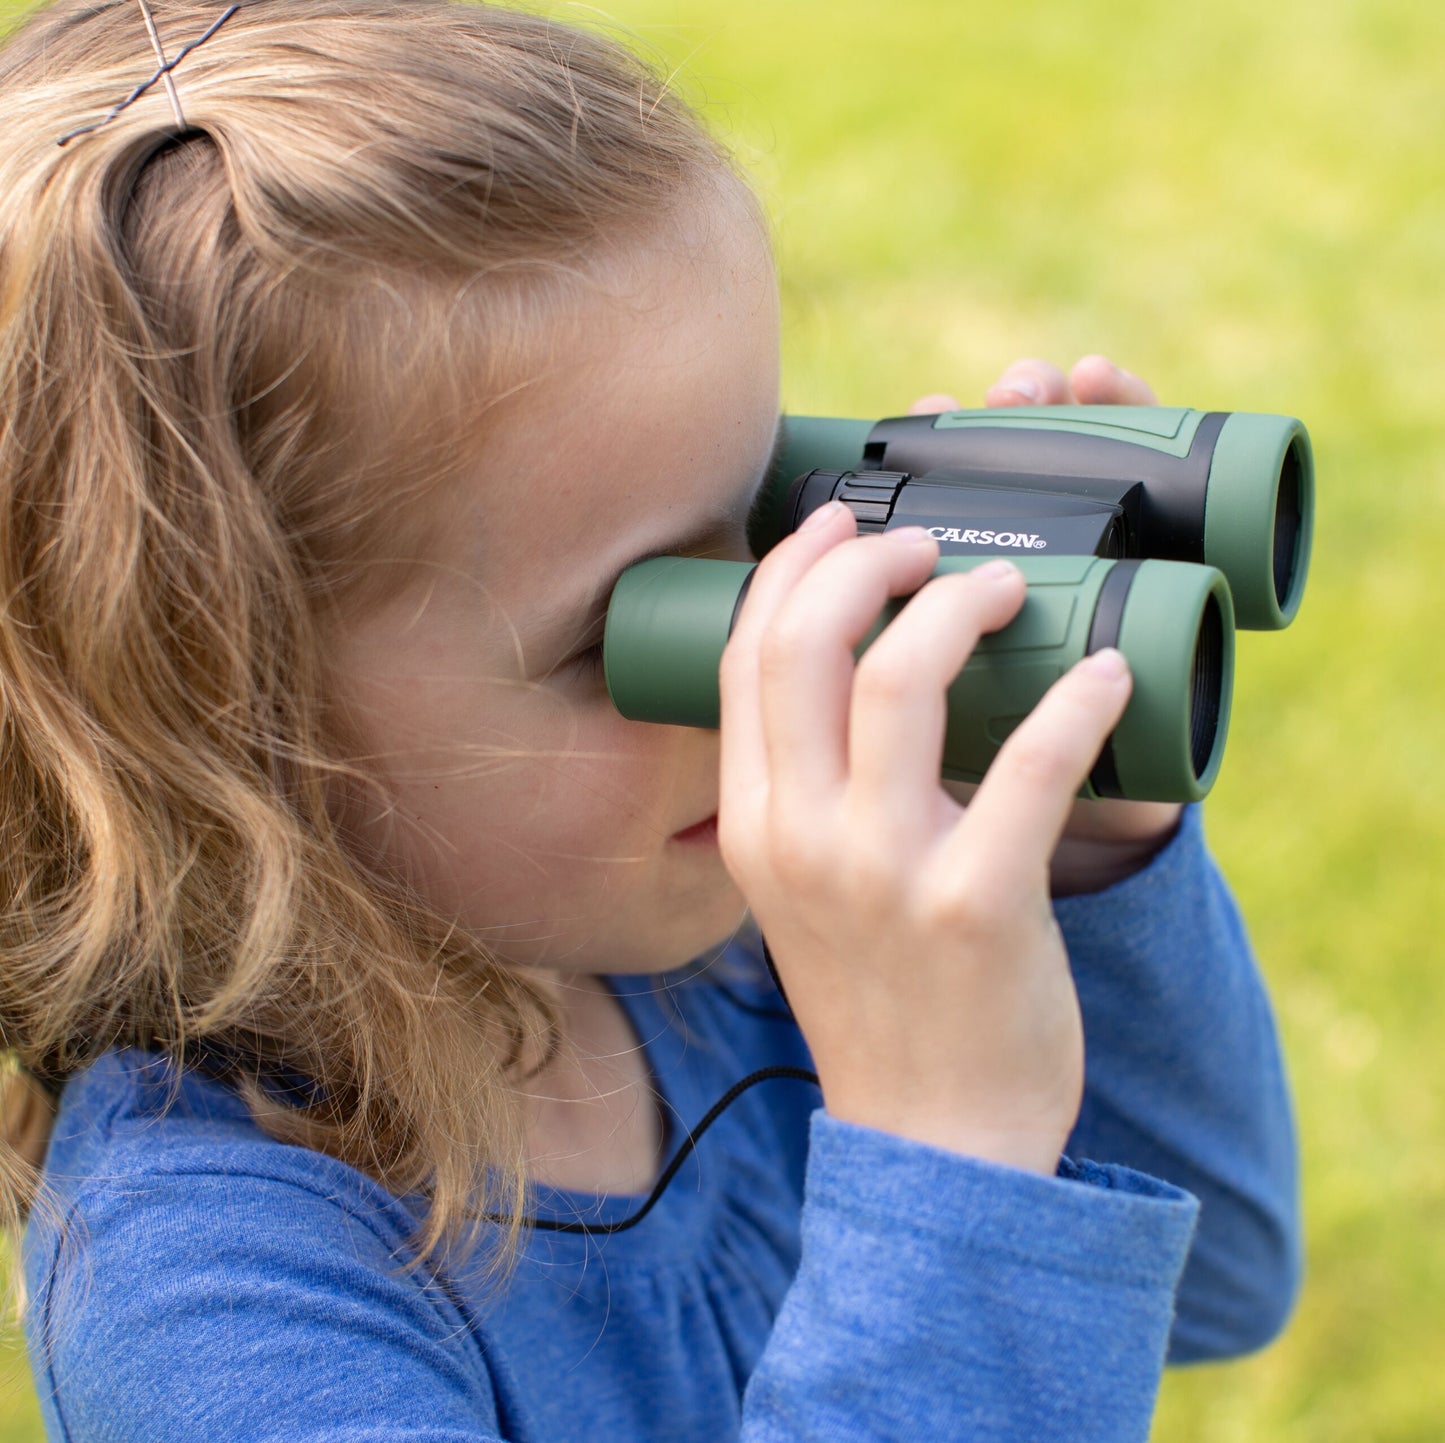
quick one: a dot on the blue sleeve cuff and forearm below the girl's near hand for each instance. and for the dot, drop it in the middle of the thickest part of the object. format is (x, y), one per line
(944, 1298)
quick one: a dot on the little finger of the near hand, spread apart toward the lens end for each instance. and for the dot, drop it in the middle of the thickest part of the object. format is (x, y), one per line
(1012, 827)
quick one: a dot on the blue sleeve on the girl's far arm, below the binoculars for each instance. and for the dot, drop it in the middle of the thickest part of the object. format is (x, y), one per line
(1186, 1083)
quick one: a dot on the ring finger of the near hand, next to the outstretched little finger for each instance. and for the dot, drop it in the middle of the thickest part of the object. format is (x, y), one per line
(900, 693)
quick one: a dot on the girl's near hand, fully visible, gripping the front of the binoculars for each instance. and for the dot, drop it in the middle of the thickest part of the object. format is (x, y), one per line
(915, 938)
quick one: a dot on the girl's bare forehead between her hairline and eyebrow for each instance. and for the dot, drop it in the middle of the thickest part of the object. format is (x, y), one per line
(651, 422)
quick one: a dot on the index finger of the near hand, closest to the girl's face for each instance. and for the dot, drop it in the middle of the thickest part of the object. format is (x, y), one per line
(743, 753)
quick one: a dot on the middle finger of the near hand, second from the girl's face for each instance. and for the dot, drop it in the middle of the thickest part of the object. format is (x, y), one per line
(806, 661)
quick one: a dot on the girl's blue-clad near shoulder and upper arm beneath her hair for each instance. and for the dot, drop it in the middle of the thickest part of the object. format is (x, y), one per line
(190, 1267)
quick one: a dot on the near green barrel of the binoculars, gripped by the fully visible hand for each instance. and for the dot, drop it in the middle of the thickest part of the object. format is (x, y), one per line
(670, 620)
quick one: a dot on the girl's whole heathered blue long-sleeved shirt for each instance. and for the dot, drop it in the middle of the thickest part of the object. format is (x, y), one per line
(803, 1279)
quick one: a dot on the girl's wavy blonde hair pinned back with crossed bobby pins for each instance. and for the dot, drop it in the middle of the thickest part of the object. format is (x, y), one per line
(209, 350)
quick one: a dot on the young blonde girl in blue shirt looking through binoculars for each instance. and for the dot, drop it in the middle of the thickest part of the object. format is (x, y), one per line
(378, 966)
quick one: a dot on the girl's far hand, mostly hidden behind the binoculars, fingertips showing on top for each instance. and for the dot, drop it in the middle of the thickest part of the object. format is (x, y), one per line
(1103, 841)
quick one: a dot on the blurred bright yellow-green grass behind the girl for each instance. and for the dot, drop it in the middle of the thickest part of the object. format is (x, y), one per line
(1246, 204)
